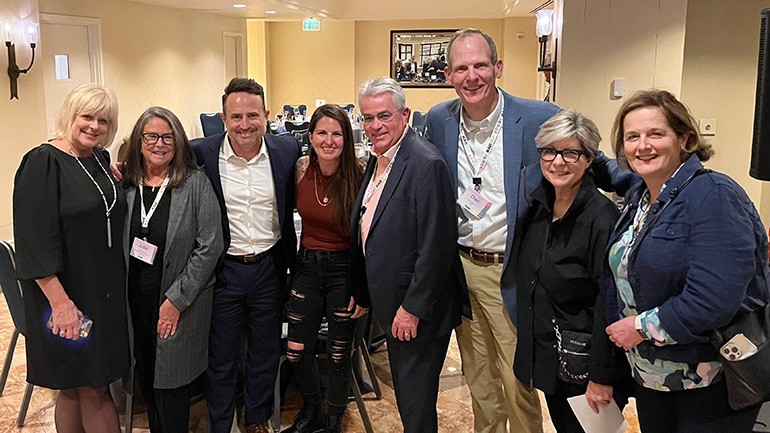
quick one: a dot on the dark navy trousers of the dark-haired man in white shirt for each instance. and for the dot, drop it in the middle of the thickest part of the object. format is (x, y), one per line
(251, 301)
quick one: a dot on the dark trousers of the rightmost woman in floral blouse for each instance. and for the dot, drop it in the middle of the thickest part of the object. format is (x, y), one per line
(701, 410)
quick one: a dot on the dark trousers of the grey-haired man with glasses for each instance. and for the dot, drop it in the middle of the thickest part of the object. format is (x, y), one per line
(416, 368)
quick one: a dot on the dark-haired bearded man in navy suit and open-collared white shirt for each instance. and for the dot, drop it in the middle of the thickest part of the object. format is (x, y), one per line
(253, 178)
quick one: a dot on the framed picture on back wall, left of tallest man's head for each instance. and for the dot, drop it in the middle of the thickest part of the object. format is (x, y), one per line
(418, 57)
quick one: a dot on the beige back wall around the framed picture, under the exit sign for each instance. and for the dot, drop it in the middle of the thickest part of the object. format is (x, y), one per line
(332, 63)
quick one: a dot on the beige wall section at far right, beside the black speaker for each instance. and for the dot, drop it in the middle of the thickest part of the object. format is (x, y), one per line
(719, 81)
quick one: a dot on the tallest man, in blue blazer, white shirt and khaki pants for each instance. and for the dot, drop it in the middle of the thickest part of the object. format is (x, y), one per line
(487, 138)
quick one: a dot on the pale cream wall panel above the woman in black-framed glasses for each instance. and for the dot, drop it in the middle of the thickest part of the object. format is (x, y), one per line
(602, 40)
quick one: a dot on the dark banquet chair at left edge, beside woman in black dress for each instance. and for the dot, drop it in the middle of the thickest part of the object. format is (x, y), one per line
(13, 290)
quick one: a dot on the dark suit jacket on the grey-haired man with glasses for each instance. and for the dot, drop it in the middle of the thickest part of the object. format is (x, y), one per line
(411, 250)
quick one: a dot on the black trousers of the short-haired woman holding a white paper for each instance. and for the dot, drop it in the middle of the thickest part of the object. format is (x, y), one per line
(564, 418)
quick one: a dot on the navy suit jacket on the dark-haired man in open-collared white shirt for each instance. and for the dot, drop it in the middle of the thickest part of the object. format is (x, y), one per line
(283, 152)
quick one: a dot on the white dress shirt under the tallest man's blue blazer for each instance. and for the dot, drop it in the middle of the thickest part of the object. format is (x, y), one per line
(489, 232)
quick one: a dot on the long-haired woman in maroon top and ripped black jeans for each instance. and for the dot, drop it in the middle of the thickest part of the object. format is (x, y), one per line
(327, 183)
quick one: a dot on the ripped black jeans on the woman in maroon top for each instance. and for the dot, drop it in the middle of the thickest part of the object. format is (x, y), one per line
(320, 289)
